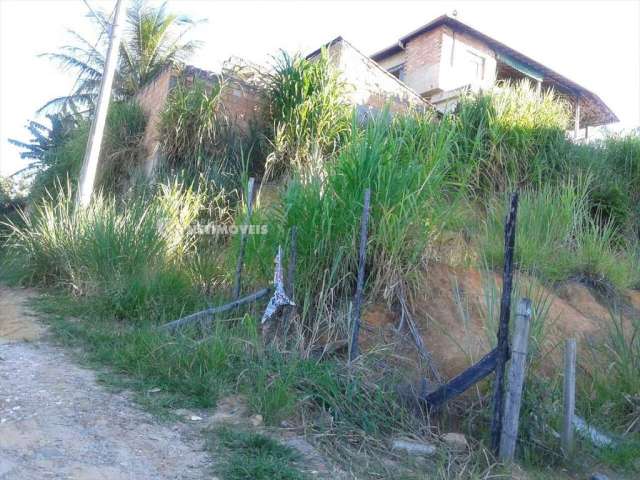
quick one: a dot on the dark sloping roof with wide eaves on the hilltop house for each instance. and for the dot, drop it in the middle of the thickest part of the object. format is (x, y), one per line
(594, 110)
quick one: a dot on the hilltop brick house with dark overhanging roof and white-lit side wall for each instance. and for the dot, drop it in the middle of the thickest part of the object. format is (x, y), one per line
(446, 57)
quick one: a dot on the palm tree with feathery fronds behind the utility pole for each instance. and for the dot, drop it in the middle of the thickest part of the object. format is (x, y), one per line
(153, 40)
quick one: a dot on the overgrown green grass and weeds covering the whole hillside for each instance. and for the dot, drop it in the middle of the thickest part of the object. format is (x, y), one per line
(124, 267)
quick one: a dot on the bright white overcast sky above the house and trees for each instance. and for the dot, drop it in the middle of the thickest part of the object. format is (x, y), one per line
(594, 43)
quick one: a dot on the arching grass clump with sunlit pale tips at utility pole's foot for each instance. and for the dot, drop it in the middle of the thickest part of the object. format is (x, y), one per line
(124, 255)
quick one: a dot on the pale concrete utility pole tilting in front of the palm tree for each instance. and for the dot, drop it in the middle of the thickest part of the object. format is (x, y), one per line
(92, 153)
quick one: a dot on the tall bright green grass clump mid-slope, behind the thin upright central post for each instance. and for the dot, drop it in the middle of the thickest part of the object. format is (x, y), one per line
(406, 203)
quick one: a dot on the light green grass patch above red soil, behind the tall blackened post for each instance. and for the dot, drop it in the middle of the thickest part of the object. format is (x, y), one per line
(557, 238)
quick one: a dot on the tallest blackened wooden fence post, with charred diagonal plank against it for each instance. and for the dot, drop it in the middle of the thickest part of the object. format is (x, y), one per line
(503, 327)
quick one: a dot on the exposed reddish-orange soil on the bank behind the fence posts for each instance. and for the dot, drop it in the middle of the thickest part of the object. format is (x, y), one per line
(452, 311)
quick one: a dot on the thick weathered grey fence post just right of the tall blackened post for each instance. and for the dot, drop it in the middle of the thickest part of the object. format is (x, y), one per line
(509, 433)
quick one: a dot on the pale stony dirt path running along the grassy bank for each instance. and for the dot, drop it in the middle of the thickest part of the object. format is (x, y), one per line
(56, 422)
